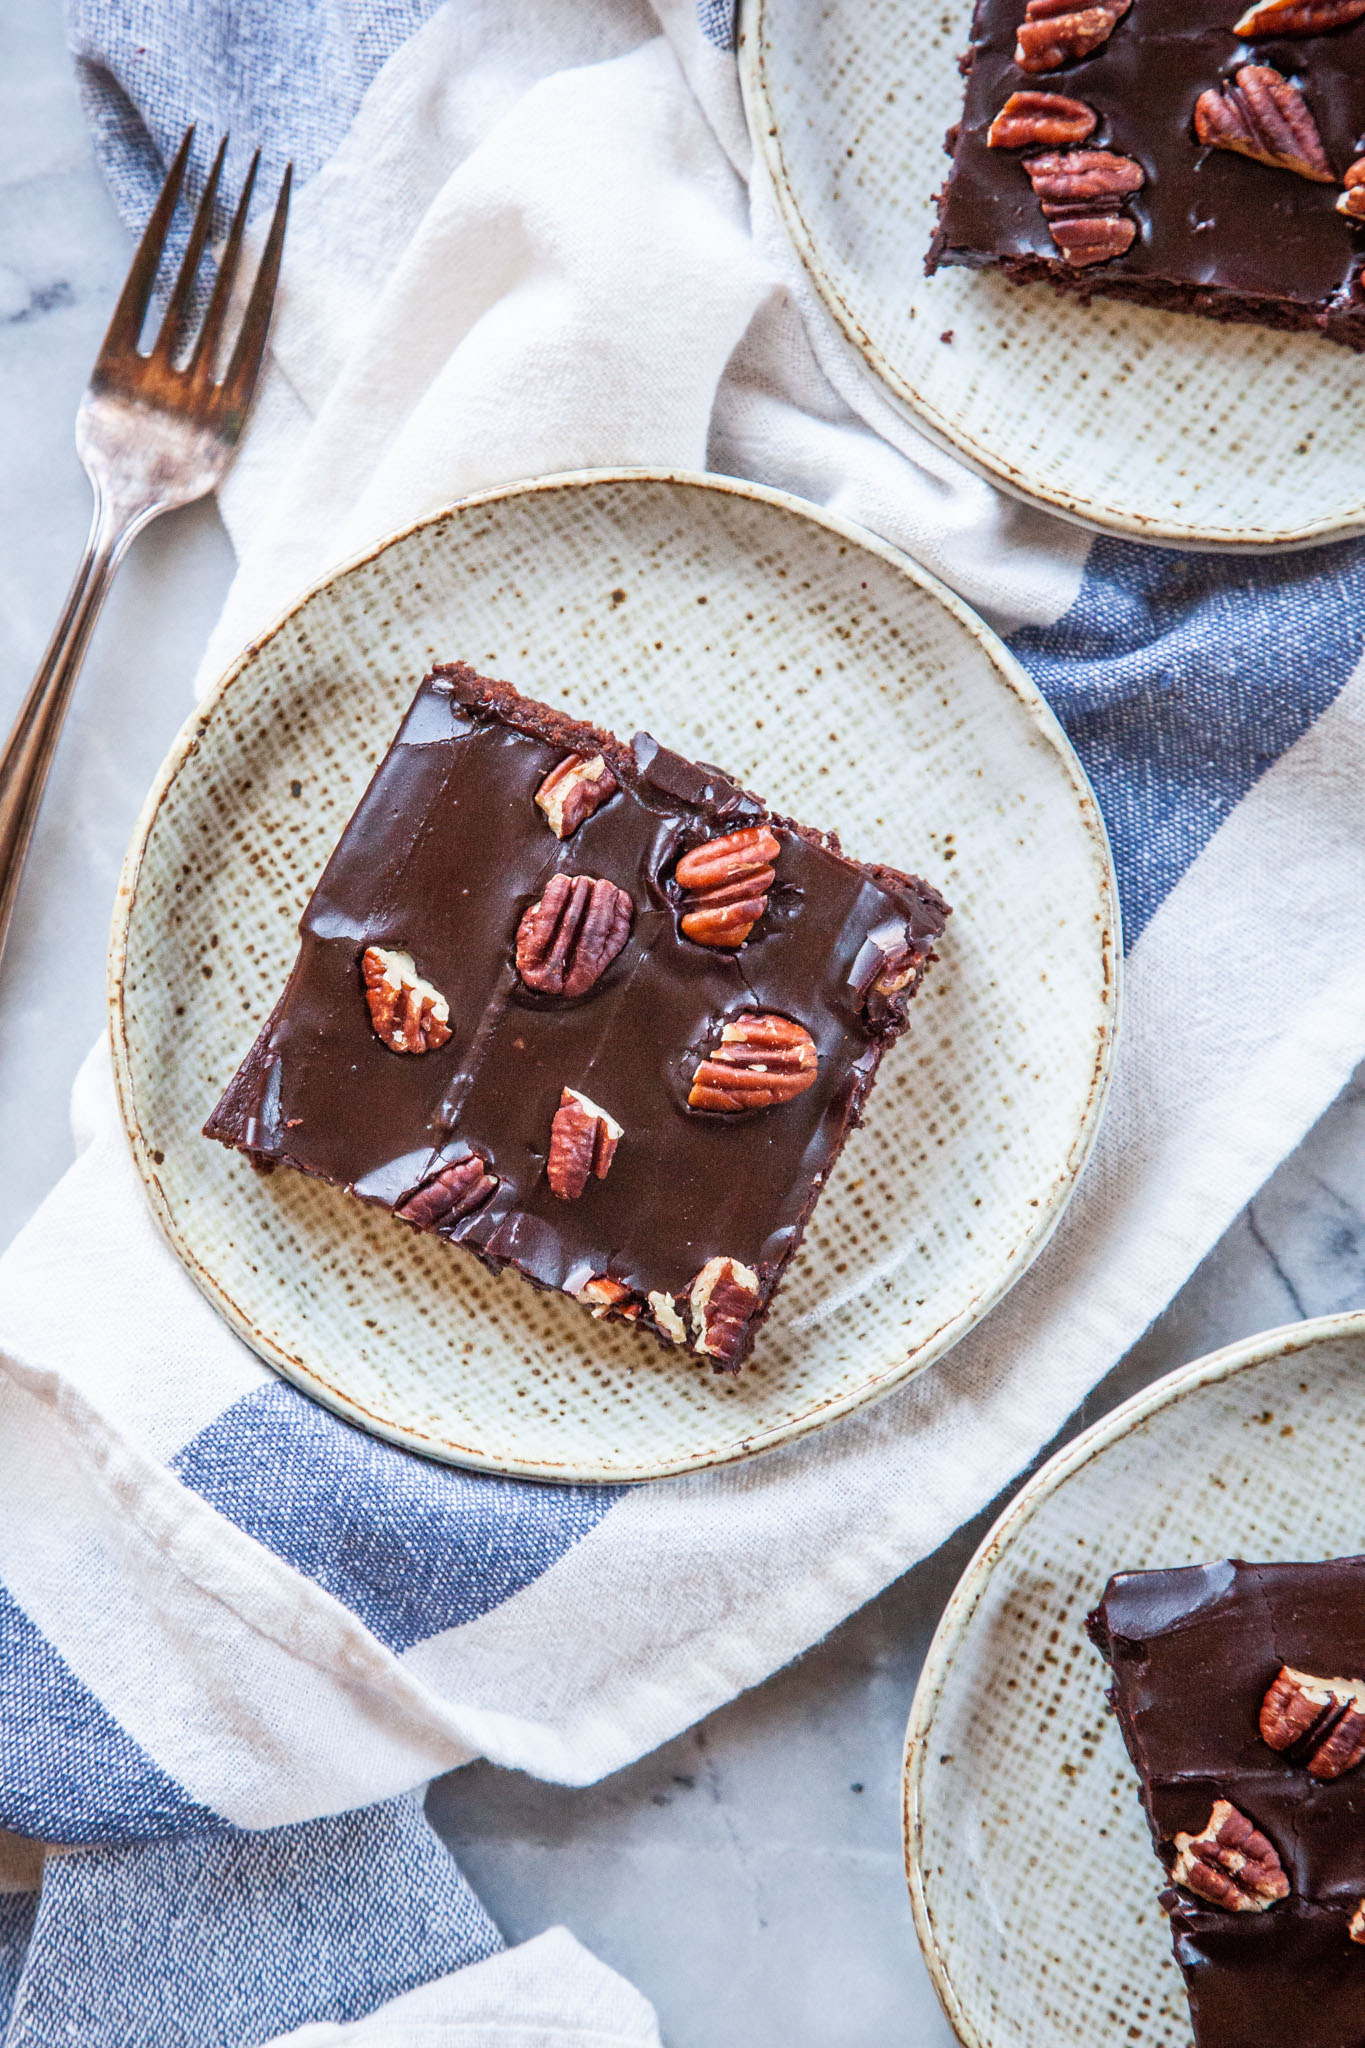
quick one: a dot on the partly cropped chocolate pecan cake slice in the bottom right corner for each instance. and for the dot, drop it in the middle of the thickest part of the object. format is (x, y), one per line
(1241, 1695)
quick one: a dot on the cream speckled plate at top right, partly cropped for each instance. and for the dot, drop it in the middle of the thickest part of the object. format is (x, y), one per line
(1155, 425)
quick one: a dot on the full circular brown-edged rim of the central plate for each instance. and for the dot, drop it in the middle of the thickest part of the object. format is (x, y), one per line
(936, 1345)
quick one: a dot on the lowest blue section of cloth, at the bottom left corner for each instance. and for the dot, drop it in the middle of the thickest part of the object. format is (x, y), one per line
(234, 1940)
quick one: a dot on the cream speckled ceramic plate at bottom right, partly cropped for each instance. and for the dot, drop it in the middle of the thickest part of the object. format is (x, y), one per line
(1030, 1865)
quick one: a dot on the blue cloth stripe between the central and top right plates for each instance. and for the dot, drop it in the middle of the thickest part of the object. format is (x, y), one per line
(1182, 679)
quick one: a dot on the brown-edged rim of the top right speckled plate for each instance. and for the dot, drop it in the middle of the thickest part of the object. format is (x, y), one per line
(752, 46)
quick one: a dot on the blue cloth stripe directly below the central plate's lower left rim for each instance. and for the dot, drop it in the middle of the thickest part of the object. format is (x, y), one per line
(406, 1545)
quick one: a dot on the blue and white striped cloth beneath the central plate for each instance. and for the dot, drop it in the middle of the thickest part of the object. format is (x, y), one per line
(523, 245)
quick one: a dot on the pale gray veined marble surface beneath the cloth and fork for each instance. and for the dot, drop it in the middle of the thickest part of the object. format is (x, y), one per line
(748, 1877)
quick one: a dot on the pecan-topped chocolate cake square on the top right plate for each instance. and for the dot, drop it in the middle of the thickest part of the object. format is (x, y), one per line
(1186, 155)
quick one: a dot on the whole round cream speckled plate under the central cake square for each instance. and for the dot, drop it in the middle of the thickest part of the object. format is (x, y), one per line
(840, 683)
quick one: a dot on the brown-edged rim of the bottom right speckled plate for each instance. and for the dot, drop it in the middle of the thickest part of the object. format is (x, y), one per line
(1245, 1355)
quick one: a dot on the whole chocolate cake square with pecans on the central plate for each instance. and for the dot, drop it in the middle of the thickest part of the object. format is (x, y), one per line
(584, 1009)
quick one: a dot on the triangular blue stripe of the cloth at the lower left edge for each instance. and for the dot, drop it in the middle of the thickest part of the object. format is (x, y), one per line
(69, 1773)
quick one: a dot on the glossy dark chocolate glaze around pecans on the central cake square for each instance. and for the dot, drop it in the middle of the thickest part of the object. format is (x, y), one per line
(441, 859)
